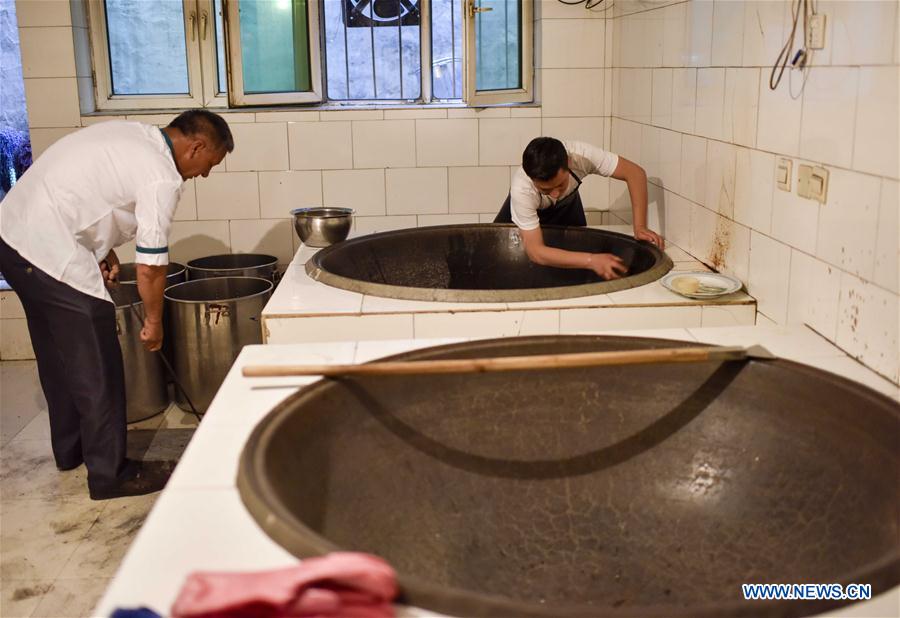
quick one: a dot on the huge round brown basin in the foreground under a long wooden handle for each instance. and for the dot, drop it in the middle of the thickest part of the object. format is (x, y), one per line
(652, 490)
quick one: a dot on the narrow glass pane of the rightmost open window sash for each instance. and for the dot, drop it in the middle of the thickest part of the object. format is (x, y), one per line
(498, 45)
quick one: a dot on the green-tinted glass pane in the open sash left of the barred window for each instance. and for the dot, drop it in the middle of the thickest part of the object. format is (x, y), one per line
(274, 46)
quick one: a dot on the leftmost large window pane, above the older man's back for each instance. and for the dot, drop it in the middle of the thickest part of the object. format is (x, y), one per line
(147, 47)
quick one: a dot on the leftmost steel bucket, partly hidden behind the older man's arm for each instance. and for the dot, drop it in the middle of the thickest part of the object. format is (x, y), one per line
(145, 377)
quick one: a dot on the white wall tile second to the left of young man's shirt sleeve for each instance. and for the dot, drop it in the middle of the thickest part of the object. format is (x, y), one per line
(416, 191)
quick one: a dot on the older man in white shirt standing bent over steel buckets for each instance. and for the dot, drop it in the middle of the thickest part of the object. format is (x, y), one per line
(93, 190)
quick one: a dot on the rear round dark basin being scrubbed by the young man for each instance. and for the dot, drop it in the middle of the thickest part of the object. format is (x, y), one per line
(479, 263)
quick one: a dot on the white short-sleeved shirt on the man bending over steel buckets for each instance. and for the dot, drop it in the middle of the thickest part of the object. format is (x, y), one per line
(91, 191)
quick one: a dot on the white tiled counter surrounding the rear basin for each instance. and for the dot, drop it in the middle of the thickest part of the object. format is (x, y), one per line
(302, 309)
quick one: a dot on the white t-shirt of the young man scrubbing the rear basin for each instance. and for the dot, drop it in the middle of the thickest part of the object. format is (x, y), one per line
(526, 200)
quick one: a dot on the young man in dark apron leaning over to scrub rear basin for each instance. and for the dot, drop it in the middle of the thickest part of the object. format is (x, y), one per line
(544, 191)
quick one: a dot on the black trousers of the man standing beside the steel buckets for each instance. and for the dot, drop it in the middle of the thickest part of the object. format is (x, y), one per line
(80, 367)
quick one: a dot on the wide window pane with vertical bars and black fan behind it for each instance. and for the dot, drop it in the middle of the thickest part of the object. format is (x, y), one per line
(372, 49)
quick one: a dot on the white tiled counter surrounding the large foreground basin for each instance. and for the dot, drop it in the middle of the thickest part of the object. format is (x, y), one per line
(200, 523)
